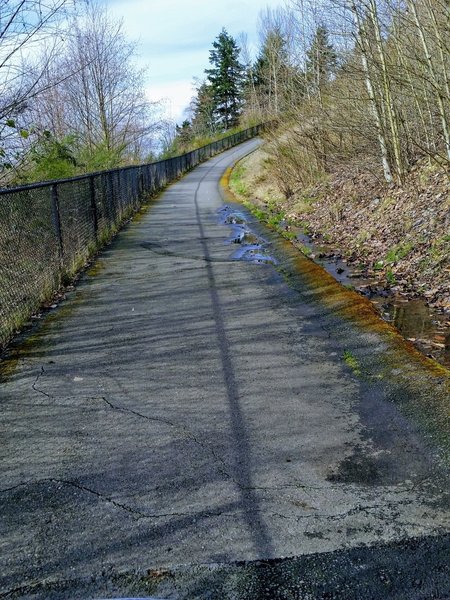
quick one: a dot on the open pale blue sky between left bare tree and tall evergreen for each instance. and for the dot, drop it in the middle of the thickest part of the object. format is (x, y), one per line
(174, 38)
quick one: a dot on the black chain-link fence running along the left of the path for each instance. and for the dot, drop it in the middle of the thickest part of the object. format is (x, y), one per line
(49, 230)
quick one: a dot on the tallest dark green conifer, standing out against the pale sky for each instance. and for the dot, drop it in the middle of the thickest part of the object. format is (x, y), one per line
(225, 79)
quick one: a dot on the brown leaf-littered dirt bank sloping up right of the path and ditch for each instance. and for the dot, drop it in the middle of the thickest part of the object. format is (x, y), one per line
(397, 235)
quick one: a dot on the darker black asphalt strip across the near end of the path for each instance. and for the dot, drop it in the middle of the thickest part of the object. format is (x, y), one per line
(415, 569)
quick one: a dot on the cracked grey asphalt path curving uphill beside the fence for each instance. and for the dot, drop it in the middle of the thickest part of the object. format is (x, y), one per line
(186, 408)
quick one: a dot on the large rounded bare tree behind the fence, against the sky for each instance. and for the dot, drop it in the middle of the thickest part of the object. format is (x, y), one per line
(101, 101)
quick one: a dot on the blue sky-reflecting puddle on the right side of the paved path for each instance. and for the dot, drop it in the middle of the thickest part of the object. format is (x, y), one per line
(249, 247)
